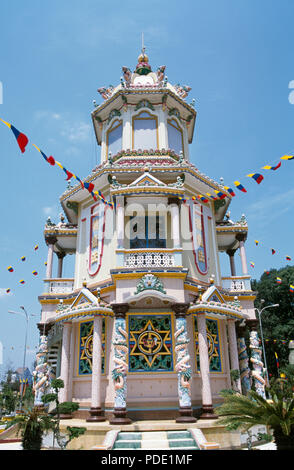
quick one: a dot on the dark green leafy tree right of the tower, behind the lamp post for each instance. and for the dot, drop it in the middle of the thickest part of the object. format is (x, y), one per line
(277, 323)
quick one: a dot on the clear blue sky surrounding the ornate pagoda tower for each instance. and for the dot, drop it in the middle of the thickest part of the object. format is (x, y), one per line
(236, 55)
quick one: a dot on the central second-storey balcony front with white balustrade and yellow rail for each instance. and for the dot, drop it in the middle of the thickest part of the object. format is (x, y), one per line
(154, 258)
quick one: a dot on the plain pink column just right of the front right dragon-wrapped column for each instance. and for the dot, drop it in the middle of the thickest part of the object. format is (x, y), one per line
(207, 408)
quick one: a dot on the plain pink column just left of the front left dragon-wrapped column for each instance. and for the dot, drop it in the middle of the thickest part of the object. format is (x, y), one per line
(95, 410)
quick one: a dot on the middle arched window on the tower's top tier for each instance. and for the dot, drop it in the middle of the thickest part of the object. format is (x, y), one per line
(145, 131)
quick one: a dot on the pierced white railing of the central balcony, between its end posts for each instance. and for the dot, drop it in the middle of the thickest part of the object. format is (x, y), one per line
(149, 259)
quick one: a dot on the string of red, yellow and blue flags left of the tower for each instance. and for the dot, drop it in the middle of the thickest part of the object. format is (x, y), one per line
(23, 140)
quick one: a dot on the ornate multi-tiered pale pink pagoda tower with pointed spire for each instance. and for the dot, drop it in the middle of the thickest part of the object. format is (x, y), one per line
(147, 327)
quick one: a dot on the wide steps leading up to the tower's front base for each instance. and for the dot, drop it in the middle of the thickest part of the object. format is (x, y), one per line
(147, 440)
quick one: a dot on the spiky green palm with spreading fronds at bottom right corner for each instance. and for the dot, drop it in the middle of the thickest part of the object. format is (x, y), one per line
(243, 412)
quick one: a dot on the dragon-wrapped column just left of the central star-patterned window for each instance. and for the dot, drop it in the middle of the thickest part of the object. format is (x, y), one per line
(119, 372)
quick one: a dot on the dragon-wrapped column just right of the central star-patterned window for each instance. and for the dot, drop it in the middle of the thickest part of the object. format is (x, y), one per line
(183, 366)
